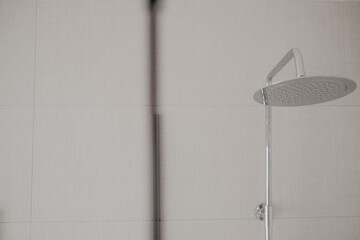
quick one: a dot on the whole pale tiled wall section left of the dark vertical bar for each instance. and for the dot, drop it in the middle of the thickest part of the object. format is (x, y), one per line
(75, 135)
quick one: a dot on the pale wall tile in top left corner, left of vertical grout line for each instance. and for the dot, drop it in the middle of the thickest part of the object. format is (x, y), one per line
(17, 52)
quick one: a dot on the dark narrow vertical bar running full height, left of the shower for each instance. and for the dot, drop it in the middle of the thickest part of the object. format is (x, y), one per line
(153, 63)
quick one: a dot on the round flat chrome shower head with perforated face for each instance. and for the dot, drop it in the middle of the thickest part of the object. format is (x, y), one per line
(304, 91)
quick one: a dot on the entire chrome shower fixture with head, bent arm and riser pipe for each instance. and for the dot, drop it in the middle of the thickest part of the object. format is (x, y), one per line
(295, 92)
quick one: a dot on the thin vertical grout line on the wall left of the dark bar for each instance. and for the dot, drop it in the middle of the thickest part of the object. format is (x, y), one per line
(33, 123)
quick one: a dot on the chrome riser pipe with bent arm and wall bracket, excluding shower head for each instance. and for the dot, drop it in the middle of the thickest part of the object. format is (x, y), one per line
(264, 211)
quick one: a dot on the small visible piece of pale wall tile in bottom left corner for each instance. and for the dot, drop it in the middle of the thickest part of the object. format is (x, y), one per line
(15, 231)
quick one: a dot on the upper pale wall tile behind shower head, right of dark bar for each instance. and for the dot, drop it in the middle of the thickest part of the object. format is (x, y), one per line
(220, 54)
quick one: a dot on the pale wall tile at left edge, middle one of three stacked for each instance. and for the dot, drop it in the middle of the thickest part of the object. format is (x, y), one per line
(15, 163)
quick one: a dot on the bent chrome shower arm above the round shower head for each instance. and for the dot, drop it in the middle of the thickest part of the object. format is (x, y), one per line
(299, 64)
